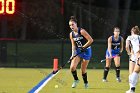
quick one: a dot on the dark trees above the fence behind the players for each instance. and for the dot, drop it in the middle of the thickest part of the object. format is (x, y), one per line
(48, 19)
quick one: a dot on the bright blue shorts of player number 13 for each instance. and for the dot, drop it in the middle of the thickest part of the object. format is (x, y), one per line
(85, 55)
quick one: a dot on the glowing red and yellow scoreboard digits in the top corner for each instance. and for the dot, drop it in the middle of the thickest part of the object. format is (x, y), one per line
(7, 6)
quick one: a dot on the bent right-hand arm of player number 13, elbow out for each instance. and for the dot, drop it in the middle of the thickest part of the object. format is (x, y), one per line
(88, 37)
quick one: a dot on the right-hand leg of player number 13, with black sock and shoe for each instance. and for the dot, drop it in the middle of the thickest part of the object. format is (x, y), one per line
(84, 65)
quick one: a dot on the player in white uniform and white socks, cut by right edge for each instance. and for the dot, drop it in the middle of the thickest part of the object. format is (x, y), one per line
(133, 50)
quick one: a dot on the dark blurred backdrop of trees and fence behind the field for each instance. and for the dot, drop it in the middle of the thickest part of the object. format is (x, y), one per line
(38, 30)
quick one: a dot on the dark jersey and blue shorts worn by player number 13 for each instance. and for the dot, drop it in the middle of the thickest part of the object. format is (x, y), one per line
(80, 40)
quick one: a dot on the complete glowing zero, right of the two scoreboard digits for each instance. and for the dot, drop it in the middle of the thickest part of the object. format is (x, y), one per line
(10, 6)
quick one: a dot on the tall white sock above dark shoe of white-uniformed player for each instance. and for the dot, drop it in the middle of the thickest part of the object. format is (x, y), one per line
(134, 79)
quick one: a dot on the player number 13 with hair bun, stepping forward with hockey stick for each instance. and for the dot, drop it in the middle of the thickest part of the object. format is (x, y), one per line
(81, 42)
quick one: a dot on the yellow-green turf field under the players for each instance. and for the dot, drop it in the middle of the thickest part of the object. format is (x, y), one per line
(21, 80)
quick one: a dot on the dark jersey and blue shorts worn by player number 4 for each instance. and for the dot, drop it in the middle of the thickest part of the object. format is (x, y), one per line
(115, 46)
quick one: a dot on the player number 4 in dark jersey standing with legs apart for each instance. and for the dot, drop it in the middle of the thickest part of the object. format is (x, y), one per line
(115, 48)
